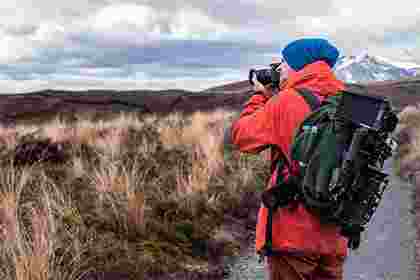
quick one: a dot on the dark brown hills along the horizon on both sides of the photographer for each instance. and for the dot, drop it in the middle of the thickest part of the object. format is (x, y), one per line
(43, 104)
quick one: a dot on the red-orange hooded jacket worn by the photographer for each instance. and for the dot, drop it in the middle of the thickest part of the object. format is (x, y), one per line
(273, 121)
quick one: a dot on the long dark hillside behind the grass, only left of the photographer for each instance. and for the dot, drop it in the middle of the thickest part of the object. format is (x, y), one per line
(46, 104)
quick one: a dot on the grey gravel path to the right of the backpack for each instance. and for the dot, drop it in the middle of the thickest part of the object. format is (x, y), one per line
(388, 251)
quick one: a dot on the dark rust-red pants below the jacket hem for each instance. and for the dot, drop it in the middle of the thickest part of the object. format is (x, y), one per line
(309, 267)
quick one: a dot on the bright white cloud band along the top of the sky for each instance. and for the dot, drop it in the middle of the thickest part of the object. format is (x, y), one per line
(373, 20)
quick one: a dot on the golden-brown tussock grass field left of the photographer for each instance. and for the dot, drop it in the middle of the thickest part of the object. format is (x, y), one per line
(141, 195)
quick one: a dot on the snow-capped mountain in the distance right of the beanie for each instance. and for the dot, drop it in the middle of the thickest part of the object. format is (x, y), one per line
(367, 68)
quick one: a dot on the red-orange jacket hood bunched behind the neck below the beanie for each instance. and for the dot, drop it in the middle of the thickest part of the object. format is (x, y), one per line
(317, 77)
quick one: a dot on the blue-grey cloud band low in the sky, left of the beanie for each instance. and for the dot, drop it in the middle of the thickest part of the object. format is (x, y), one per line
(168, 59)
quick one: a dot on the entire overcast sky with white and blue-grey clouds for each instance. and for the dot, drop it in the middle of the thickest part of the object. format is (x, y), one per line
(187, 44)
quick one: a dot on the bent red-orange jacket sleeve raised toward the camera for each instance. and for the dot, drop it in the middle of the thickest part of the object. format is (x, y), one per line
(253, 131)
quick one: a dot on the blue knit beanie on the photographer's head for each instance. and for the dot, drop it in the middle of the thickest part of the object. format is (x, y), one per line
(306, 51)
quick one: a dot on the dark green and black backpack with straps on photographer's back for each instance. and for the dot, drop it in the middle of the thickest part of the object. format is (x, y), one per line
(337, 157)
